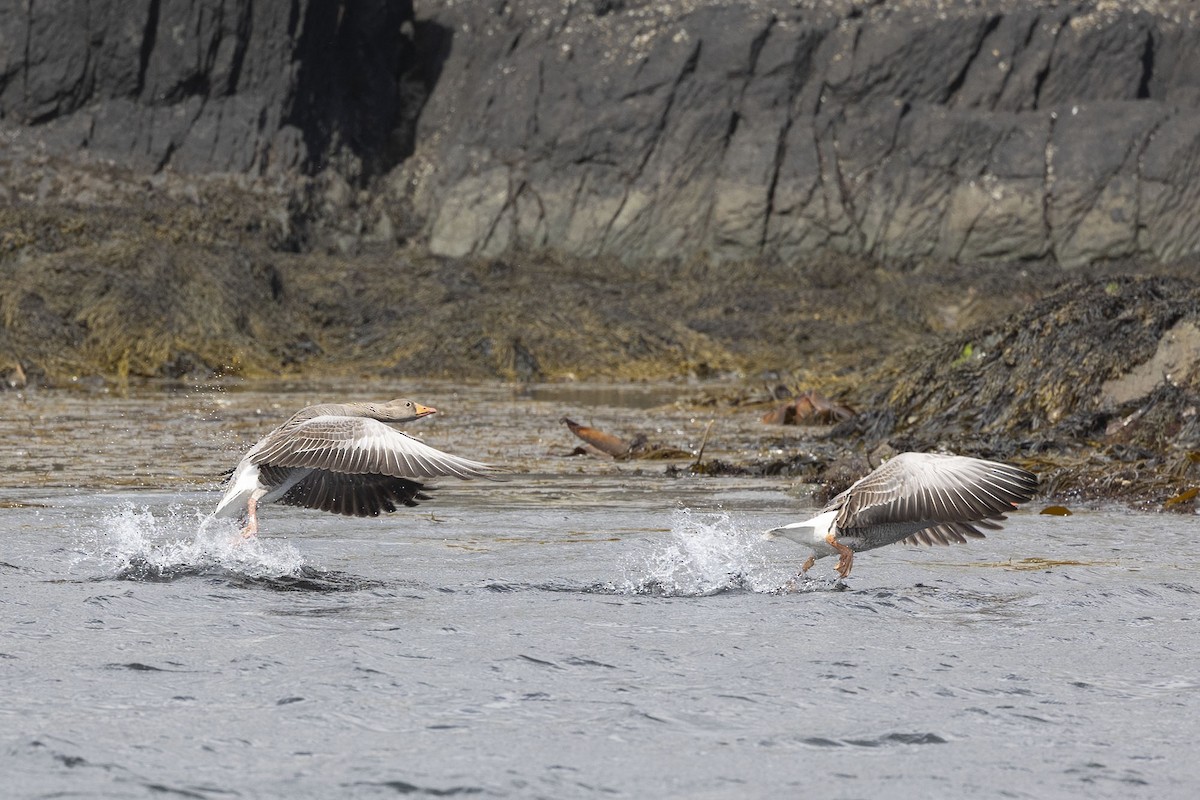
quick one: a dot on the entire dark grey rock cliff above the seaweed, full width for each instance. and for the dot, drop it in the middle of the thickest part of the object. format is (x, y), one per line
(916, 130)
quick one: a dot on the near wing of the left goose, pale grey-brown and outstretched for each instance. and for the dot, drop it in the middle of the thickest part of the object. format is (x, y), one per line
(359, 446)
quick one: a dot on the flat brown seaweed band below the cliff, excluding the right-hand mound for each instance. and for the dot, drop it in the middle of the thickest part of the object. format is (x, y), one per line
(203, 281)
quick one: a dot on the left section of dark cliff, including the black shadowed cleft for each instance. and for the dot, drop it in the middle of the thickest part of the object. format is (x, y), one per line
(211, 86)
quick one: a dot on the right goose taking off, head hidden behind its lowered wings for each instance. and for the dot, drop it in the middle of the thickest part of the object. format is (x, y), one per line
(914, 498)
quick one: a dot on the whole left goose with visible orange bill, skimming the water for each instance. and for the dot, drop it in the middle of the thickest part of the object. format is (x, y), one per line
(343, 459)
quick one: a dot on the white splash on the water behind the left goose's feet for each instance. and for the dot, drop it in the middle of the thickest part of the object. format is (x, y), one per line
(135, 543)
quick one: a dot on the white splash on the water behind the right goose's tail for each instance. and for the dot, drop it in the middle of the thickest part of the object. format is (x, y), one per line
(709, 554)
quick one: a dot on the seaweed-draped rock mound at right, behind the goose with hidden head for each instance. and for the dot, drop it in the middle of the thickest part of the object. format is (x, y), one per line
(1031, 390)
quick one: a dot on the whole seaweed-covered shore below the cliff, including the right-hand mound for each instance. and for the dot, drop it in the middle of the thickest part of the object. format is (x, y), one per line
(1089, 376)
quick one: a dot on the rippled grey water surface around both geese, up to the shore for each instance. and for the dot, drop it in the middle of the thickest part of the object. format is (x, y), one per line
(585, 629)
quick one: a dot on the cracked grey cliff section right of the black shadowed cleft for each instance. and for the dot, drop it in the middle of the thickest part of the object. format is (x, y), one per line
(947, 131)
